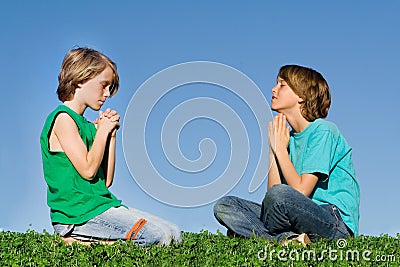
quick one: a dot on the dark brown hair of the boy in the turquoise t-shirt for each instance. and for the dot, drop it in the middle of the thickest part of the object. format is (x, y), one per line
(311, 86)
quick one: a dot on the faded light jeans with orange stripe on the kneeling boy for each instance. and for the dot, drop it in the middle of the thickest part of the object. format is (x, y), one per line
(123, 223)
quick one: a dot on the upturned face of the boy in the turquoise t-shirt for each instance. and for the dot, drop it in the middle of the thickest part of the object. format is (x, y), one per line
(284, 99)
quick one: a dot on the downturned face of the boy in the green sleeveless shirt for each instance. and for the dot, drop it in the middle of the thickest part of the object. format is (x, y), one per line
(94, 92)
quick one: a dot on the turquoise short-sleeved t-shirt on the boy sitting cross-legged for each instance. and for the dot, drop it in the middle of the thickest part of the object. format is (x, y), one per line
(321, 149)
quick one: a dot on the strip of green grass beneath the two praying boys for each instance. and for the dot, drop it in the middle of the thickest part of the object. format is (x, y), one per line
(203, 249)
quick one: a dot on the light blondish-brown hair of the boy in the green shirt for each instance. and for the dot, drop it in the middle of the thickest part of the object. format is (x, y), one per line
(82, 64)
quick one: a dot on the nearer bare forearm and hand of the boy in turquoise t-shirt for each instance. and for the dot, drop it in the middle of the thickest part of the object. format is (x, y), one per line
(304, 183)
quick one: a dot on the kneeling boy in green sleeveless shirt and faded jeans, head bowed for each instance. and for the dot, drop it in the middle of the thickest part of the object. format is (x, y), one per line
(79, 160)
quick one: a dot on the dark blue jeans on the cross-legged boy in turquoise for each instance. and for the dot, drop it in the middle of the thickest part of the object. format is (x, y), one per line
(284, 213)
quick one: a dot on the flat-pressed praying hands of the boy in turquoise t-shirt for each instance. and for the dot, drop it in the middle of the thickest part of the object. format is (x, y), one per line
(278, 134)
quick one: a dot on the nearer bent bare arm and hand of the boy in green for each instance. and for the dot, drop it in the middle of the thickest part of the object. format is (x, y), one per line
(85, 162)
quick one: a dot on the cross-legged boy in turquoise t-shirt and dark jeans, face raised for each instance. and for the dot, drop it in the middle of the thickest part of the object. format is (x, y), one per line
(312, 188)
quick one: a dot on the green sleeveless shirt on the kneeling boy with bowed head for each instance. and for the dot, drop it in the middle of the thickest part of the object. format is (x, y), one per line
(71, 198)
